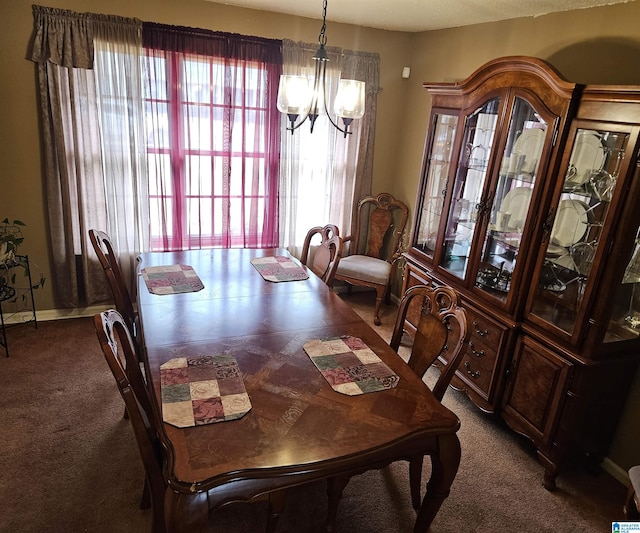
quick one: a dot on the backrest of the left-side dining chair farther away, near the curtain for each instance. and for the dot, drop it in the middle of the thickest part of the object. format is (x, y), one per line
(109, 261)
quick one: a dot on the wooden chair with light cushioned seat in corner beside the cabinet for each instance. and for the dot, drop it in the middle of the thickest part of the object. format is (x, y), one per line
(374, 248)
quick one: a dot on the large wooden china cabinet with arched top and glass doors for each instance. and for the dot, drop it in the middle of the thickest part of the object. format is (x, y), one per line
(528, 207)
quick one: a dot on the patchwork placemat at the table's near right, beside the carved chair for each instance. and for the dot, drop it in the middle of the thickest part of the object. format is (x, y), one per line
(350, 366)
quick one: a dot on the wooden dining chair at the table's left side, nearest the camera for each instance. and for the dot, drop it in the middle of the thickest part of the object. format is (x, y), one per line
(119, 350)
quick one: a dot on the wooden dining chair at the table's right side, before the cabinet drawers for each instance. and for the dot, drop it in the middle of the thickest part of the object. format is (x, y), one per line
(439, 340)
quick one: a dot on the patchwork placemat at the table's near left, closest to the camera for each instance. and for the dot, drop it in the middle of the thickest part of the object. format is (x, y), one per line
(202, 390)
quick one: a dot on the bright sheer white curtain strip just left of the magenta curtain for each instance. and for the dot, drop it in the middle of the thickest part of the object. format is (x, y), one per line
(118, 68)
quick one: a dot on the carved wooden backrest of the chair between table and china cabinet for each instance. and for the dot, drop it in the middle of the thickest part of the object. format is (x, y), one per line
(441, 331)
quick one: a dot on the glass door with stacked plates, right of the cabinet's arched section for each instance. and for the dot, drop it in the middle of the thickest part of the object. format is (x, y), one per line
(580, 215)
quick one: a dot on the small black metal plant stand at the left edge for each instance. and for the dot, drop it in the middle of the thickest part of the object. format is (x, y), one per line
(13, 292)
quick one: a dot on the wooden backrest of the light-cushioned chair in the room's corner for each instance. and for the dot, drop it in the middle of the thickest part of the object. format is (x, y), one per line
(380, 224)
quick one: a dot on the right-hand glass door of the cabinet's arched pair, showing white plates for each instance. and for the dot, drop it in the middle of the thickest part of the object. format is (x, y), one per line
(508, 212)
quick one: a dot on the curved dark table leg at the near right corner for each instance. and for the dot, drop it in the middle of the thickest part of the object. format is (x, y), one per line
(445, 465)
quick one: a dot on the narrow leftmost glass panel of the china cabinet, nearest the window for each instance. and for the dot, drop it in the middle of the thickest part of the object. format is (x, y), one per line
(438, 166)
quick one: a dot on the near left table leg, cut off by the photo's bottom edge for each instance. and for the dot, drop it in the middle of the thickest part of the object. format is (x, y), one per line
(184, 512)
